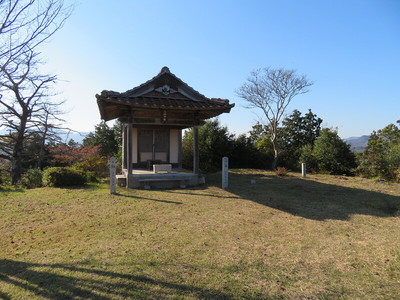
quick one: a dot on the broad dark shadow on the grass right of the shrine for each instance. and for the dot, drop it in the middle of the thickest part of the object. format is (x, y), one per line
(311, 199)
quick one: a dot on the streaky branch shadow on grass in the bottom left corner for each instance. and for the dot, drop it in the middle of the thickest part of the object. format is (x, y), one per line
(68, 281)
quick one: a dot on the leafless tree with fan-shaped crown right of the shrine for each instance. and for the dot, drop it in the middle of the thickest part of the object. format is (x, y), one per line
(272, 90)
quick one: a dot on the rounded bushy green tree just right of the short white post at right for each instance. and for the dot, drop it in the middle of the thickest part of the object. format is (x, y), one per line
(332, 154)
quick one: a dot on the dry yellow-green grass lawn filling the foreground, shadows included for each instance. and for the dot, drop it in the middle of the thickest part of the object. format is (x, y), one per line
(322, 237)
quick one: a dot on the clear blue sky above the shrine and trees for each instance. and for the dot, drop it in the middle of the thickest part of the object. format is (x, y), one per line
(349, 49)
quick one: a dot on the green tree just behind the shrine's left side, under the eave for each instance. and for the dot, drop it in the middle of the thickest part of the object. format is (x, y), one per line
(105, 137)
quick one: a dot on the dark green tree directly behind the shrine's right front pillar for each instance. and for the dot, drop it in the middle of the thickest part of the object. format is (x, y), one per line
(214, 143)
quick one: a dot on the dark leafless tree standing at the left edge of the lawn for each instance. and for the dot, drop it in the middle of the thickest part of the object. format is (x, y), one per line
(23, 107)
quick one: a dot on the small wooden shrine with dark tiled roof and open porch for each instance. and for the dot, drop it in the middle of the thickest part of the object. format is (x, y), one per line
(153, 116)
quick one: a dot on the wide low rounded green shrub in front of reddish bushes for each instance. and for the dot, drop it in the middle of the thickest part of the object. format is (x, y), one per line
(59, 176)
